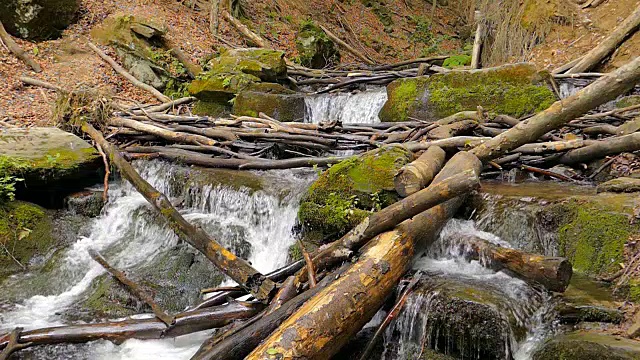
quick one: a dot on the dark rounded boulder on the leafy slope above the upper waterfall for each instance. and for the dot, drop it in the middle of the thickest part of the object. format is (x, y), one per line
(315, 49)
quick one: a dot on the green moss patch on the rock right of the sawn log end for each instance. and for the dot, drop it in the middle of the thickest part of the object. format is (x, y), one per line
(593, 240)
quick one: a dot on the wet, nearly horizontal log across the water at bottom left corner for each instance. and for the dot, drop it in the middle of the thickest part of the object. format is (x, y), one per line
(151, 328)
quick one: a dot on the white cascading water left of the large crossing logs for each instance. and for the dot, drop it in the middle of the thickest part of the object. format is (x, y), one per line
(130, 234)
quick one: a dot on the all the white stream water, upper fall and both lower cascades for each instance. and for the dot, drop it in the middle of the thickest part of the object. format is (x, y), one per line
(261, 225)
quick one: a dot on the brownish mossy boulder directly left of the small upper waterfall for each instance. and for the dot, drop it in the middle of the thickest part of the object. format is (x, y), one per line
(277, 102)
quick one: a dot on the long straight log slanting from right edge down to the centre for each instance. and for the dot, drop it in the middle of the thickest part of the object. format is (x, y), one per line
(606, 88)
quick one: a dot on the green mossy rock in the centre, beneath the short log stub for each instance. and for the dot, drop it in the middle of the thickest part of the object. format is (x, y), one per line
(347, 192)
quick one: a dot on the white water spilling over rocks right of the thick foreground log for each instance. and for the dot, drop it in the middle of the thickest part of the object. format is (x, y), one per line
(418, 326)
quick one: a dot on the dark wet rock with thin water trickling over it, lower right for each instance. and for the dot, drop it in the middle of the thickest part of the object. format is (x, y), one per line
(459, 317)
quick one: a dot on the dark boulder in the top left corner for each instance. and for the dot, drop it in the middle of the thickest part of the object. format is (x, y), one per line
(37, 19)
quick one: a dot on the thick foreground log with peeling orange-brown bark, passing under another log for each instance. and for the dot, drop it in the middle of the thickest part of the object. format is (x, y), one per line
(329, 319)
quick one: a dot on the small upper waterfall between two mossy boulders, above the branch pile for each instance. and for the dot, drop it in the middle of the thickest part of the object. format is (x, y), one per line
(357, 108)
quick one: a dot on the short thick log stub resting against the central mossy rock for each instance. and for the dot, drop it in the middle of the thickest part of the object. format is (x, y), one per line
(416, 175)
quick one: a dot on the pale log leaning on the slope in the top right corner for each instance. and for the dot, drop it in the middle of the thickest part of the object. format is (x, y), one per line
(608, 45)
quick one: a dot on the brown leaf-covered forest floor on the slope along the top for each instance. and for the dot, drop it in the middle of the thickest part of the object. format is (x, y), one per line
(69, 63)
